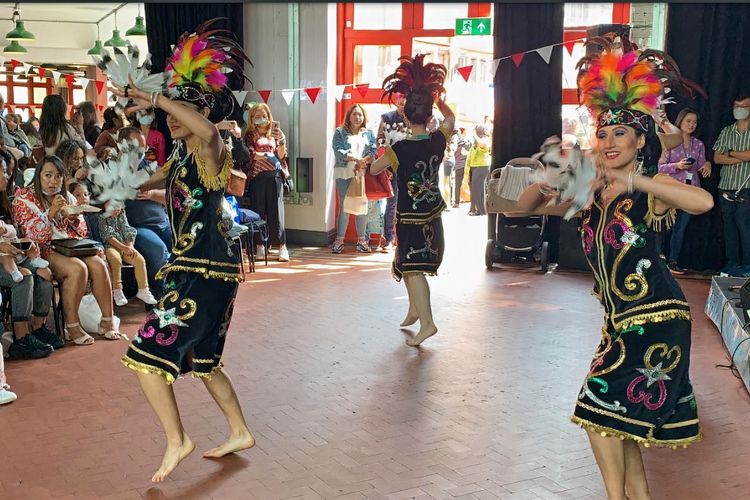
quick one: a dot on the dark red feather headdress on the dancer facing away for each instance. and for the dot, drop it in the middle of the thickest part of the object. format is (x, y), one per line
(412, 74)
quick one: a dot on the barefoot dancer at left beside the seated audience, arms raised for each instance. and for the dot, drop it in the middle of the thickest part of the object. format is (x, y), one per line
(187, 329)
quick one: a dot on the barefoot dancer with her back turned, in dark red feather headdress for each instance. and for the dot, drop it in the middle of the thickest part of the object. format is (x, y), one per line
(416, 161)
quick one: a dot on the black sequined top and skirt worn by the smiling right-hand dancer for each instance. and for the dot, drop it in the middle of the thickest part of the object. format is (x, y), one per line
(638, 386)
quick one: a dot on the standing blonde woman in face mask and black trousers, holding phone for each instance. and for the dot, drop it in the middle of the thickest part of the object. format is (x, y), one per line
(268, 170)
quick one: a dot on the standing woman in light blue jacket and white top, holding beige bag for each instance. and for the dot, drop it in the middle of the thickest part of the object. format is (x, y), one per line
(354, 149)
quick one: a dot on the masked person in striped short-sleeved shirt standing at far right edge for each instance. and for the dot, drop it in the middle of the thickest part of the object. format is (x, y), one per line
(732, 150)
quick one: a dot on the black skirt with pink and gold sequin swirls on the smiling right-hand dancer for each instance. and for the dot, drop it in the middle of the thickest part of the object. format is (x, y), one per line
(639, 388)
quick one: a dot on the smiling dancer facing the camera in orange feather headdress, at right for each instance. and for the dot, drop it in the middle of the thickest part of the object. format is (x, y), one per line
(638, 388)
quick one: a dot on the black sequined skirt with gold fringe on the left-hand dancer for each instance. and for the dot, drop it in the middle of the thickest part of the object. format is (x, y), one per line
(187, 328)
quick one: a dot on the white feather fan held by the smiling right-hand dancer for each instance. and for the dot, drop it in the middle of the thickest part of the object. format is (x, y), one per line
(571, 173)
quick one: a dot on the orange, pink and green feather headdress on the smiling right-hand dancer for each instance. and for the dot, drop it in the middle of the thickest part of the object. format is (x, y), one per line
(624, 86)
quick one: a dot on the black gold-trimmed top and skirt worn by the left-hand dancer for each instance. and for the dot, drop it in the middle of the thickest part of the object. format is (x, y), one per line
(187, 328)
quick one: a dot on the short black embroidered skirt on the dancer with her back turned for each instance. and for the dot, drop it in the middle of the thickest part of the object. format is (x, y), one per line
(420, 248)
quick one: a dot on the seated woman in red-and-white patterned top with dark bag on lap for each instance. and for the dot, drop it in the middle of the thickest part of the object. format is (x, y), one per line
(40, 212)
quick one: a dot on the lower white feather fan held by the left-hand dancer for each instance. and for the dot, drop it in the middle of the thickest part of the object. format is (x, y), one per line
(118, 180)
